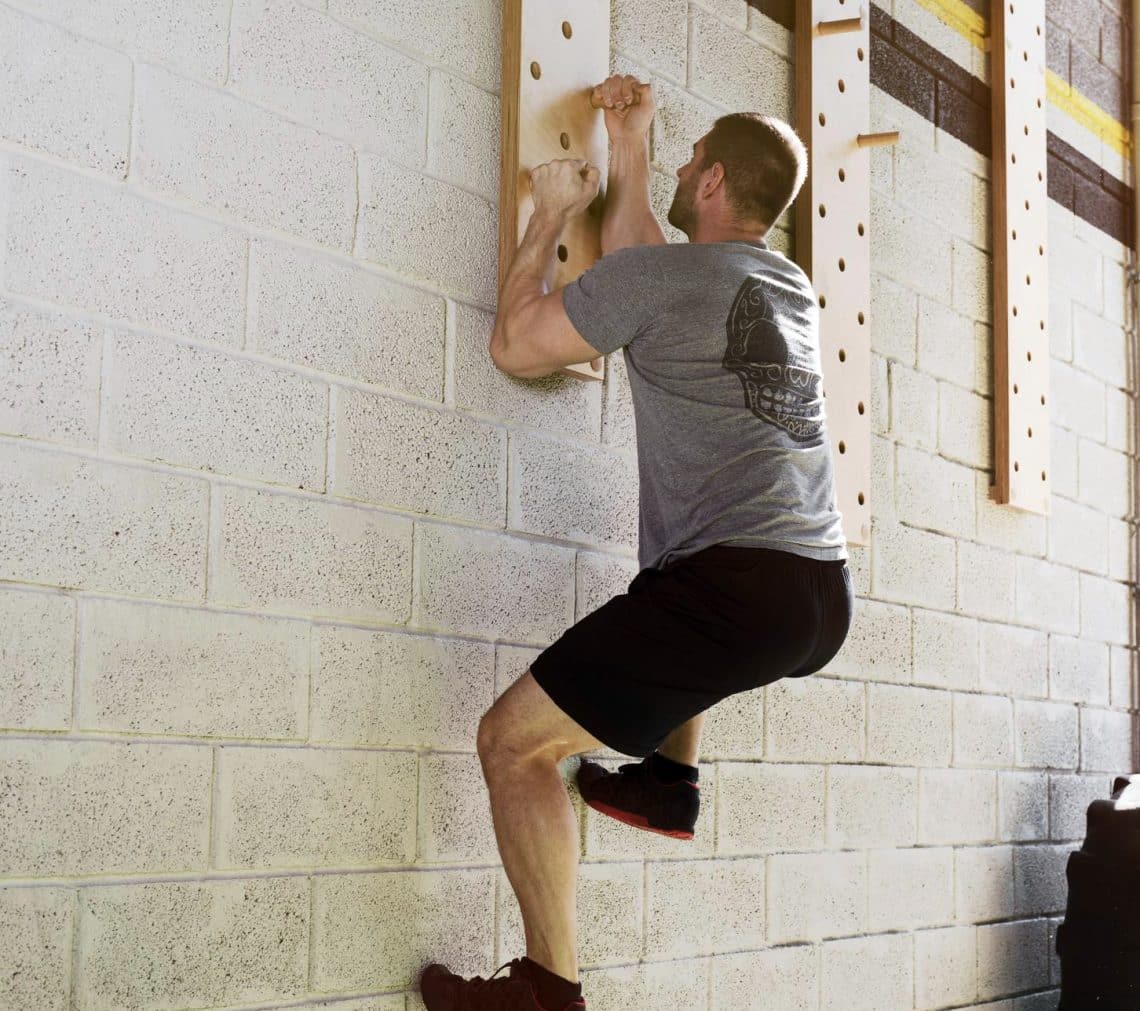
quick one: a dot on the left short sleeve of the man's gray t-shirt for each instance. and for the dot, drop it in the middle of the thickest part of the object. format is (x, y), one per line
(616, 299)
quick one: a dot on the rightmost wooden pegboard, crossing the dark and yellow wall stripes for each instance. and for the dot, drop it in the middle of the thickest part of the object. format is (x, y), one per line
(1021, 254)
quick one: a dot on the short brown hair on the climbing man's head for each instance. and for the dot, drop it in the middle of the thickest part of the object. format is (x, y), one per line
(766, 164)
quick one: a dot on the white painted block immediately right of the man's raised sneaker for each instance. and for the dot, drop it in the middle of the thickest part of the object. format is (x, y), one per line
(769, 809)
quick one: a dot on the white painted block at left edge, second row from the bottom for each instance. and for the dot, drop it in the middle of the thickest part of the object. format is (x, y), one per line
(101, 808)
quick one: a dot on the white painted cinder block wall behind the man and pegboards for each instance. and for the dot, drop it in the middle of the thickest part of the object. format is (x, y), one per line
(275, 534)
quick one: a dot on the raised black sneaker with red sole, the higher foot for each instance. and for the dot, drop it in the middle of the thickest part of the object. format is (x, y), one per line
(633, 795)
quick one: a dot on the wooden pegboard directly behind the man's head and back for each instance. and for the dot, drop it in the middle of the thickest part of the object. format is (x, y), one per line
(833, 229)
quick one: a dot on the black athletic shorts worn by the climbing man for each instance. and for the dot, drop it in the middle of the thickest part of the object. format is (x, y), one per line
(716, 623)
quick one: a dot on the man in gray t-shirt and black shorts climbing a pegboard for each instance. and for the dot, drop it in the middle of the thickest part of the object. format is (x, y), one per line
(744, 577)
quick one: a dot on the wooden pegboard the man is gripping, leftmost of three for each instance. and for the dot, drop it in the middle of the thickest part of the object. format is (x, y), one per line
(555, 52)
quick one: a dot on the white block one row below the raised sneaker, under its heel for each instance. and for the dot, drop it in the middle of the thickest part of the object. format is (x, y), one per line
(699, 908)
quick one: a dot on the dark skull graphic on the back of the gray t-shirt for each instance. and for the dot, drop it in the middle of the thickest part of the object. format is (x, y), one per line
(777, 389)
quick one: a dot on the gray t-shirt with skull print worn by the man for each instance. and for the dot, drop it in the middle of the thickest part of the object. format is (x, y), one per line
(723, 353)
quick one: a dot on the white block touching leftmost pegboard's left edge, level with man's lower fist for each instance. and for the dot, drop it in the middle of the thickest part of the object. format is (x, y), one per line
(408, 225)
